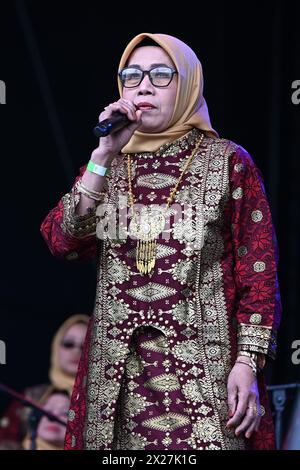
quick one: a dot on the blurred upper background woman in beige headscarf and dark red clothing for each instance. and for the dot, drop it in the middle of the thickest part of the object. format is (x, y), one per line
(65, 354)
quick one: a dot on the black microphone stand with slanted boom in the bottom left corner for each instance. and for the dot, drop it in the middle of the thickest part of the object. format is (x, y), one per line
(37, 412)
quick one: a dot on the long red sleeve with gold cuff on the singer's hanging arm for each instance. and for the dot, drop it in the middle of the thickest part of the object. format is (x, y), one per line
(255, 258)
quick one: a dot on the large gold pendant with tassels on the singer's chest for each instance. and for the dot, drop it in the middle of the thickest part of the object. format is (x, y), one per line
(146, 227)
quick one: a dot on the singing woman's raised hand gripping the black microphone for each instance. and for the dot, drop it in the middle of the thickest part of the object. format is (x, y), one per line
(111, 145)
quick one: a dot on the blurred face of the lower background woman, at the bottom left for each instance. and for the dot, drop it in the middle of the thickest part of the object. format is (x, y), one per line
(50, 431)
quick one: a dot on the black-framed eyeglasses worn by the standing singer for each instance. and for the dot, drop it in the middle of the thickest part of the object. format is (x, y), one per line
(159, 76)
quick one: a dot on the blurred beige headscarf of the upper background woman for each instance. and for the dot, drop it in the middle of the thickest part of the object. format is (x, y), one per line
(60, 379)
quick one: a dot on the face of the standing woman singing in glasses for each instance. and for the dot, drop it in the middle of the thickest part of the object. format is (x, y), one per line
(154, 119)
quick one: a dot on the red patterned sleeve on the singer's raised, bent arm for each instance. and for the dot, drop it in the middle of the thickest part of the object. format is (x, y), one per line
(70, 236)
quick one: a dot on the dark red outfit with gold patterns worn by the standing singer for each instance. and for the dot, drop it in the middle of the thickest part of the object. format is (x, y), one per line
(159, 348)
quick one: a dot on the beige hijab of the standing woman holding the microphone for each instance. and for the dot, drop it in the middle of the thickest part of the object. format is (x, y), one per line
(190, 106)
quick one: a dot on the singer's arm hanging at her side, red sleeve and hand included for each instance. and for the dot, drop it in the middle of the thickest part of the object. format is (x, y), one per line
(255, 273)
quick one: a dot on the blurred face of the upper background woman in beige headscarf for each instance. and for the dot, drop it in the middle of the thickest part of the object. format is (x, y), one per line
(71, 347)
